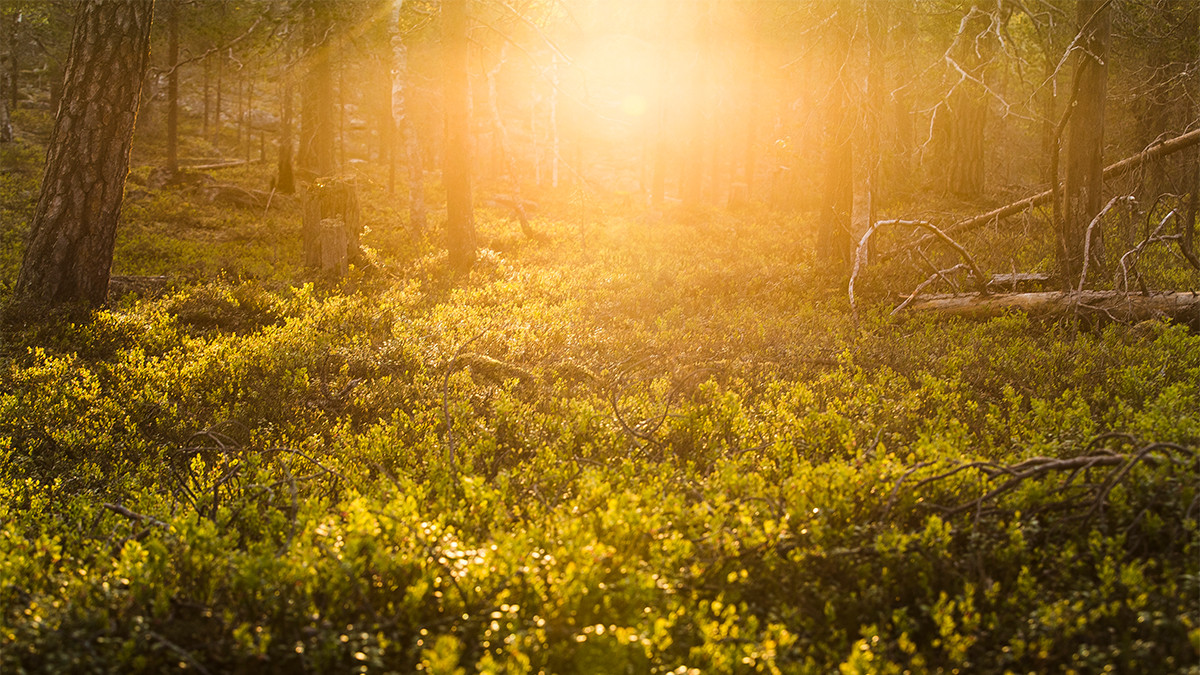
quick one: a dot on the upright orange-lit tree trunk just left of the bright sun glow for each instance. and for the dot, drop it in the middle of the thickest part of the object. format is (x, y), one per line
(460, 213)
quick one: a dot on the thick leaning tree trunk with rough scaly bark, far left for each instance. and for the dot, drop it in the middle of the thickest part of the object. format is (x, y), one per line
(74, 229)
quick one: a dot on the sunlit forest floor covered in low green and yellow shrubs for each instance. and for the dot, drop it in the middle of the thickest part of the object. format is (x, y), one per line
(653, 443)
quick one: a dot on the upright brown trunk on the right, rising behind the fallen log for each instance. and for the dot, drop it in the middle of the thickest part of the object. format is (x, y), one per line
(1084, 184)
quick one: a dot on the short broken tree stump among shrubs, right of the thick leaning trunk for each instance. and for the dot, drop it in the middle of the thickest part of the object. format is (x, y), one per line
(332, 225)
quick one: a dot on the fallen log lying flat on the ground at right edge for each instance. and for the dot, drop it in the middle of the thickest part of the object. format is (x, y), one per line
(1103, 306)
